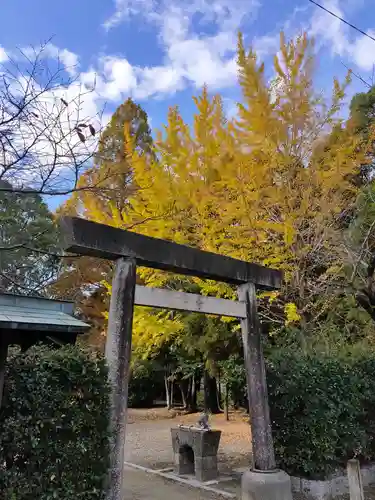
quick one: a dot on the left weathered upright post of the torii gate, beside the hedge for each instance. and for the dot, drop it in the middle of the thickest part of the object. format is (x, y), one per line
(118, 355)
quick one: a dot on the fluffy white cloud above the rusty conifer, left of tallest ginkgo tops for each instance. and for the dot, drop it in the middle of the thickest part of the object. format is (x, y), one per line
(187, 62)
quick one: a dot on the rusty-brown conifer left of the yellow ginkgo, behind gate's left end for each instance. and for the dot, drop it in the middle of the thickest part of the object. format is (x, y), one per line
(82, 278)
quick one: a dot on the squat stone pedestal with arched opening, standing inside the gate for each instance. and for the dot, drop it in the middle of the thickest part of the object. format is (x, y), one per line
(195, 452)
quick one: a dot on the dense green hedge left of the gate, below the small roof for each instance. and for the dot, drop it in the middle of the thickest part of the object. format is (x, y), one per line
(54, 426)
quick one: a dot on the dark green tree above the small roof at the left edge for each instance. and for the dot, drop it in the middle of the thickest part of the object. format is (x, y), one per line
(28, 243)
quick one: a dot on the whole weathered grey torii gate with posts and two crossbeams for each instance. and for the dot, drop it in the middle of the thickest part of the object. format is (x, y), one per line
(130, 249)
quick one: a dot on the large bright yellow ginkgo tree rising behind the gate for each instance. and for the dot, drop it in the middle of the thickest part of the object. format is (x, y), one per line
(269, 186)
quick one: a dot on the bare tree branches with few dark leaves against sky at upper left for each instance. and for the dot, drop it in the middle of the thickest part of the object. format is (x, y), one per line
(46, 142)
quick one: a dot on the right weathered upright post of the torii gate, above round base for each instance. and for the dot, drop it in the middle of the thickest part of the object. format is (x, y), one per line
(262, 442)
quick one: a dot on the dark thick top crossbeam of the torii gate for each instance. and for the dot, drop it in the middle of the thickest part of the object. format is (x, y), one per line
(99, 240)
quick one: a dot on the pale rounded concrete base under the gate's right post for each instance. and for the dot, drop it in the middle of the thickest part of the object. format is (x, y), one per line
(272, 485)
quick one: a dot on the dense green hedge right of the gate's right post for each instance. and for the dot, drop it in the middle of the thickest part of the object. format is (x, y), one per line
(322, 411)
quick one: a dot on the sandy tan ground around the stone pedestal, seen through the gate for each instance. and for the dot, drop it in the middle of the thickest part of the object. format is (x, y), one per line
(148, 443)
